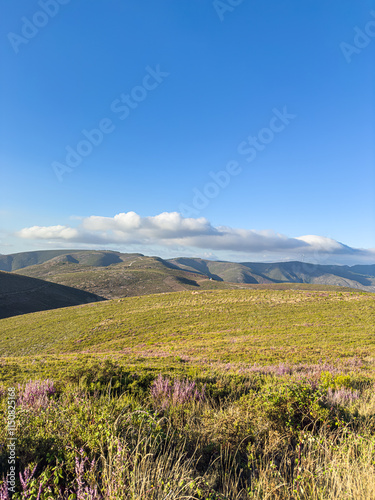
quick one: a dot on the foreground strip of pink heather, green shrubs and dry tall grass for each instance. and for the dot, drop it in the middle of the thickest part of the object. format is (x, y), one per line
(264, 434)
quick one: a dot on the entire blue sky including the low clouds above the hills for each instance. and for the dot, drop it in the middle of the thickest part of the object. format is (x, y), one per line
(180, 89)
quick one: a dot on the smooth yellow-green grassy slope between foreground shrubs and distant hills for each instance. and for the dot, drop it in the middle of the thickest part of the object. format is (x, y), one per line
(242, 326)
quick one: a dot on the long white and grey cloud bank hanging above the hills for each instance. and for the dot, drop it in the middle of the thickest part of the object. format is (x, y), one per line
(170, 229)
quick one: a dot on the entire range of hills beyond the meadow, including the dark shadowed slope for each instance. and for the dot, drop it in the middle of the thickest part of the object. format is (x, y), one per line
(34, 281)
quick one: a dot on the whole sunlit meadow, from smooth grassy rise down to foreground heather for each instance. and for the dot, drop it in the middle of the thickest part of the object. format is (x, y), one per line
(217, 395)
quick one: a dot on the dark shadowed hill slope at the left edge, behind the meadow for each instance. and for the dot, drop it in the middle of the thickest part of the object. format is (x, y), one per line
(21, 295)
